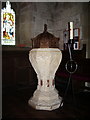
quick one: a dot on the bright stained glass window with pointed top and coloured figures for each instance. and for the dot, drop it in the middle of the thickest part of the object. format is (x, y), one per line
(7, 25)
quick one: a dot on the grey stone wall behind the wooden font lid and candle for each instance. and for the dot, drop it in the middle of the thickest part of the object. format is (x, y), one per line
(56, 15)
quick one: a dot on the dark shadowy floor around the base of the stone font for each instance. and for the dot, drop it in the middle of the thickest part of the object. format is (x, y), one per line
(15, 105)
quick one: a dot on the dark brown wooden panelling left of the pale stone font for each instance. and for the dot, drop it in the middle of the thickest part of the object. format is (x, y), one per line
(17, 69)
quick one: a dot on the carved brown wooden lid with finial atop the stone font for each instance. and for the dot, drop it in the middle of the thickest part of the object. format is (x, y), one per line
(45, 40)
